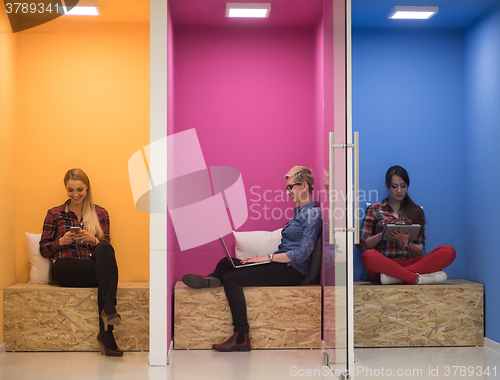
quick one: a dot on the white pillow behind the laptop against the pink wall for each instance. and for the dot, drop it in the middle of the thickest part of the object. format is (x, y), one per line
(256, 243)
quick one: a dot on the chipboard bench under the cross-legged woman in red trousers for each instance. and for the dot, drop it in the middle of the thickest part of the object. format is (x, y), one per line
(449, 314)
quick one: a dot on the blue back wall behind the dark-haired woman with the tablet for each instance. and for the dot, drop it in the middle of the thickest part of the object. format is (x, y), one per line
(408, 105)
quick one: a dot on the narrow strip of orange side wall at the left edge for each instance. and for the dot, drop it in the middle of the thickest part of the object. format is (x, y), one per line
(7, 157)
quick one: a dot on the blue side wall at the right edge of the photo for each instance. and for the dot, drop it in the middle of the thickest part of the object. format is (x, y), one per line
(482, 133)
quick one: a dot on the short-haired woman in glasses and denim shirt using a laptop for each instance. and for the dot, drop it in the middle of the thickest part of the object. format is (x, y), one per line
(289, 264)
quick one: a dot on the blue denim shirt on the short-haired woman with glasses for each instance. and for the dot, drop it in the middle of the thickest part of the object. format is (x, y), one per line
(299, 236)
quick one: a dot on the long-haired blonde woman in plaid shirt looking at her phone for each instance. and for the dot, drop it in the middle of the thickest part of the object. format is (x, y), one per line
(76, 238)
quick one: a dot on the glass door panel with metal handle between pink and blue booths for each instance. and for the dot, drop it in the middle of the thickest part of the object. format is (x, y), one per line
(337, 242)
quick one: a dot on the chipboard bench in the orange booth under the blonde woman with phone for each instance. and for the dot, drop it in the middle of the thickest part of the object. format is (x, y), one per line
(52, 318)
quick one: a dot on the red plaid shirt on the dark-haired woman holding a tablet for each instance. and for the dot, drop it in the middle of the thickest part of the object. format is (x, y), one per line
(377, 216)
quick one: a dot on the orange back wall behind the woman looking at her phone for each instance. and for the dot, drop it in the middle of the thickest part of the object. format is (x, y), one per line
(82, 101)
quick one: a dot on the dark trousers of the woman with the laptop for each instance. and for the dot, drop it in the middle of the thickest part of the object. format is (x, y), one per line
(233, 280)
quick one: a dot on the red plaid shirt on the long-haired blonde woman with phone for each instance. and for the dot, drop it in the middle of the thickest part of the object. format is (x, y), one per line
(57, 222)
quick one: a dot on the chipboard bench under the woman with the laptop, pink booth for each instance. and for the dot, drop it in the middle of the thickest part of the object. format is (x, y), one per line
(279, 317)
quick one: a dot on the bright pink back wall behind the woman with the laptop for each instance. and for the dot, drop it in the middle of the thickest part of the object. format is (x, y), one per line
(251, 94)
